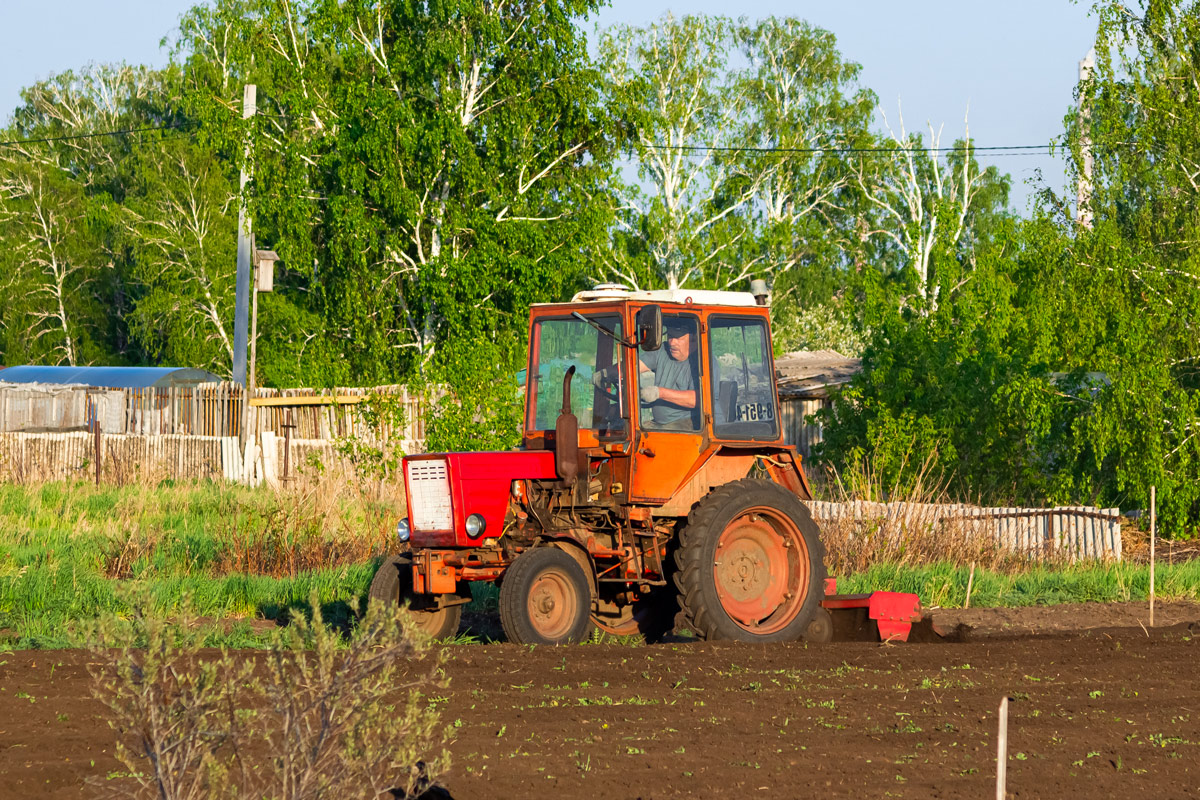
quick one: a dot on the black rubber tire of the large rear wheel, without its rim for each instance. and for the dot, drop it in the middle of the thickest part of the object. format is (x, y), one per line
(700, 607)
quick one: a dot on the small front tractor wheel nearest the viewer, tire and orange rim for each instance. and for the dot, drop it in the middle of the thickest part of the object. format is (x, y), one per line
(547, 599)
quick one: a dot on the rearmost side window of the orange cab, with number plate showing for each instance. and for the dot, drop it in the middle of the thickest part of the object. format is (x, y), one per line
(743, 390)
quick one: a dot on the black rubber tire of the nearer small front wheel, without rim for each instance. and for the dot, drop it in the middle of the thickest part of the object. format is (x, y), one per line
(519, 582)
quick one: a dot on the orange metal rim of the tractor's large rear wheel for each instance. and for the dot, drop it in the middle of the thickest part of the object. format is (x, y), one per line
(761, 570)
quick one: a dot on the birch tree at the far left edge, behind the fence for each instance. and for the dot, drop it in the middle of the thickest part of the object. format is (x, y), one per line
(55, 191)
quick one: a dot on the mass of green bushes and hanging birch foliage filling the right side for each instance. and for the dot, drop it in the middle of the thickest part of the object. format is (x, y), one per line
(1058, 362)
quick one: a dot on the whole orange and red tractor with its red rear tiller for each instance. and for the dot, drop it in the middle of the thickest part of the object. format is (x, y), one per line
(653, 486)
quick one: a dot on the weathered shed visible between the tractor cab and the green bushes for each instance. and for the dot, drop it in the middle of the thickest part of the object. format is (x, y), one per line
(808, 382)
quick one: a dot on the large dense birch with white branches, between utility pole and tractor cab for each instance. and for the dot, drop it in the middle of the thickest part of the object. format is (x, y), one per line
(437, 165)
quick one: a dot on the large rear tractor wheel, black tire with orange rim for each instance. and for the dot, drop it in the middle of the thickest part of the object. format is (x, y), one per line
(751, 566)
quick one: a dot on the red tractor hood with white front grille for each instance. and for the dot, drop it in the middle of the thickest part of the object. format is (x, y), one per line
(443, 490)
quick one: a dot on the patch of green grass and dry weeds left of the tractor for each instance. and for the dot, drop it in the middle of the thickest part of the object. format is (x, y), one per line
(62, 545)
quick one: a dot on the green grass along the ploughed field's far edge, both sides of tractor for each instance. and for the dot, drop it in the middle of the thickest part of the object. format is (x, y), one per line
(71, 554)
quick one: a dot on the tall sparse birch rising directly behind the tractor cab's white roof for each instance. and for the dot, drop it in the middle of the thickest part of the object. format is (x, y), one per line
(671, 86)
